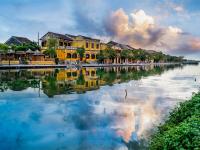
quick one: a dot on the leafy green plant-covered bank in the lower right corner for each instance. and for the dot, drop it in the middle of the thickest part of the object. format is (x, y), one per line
(182, 129)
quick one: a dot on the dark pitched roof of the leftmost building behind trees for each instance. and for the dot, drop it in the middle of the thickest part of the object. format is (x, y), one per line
(14, 40)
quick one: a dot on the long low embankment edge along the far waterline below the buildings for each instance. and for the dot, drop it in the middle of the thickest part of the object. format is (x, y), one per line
(83, 65)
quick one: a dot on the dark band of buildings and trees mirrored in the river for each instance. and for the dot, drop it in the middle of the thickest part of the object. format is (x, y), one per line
(65, 81)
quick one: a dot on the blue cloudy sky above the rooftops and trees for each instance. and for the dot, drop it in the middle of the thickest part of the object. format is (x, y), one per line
(170, 26)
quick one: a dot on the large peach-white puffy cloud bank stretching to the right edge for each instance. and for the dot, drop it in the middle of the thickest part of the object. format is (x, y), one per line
(141, 30)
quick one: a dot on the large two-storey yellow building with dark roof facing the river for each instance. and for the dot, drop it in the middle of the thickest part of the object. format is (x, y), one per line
(68, 44)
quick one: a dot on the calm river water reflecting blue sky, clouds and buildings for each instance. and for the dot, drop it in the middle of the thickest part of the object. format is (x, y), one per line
(89, 108)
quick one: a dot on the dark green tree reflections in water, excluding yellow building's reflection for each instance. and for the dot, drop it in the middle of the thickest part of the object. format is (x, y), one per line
(23, 79)
